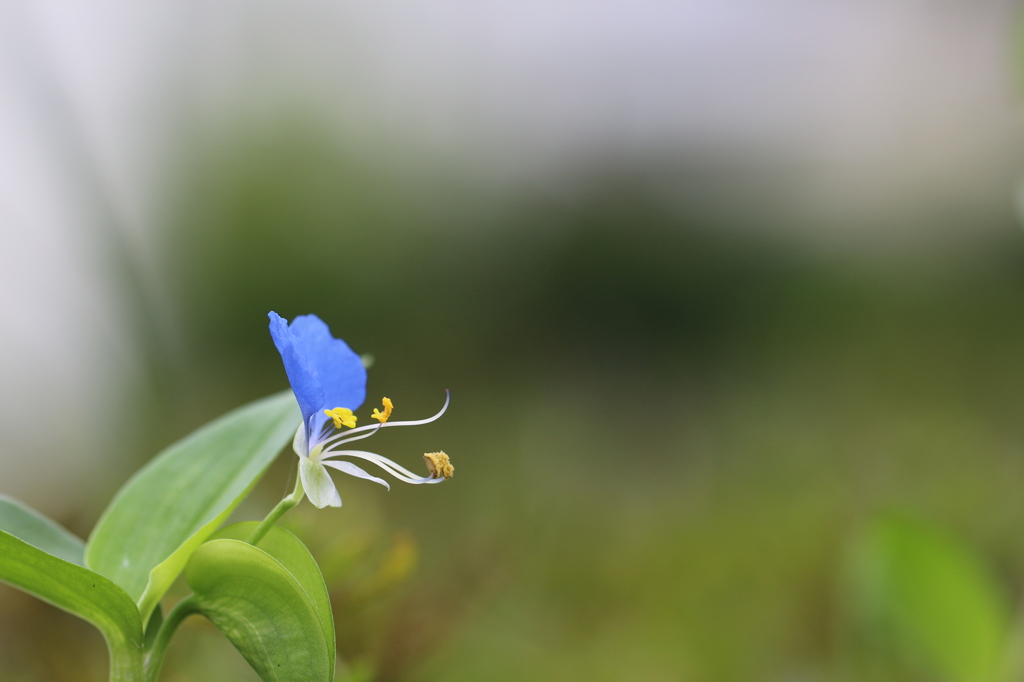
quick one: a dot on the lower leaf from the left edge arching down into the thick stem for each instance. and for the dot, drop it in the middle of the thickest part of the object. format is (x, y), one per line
(72, 588)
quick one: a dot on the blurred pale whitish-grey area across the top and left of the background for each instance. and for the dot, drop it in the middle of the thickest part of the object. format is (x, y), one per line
(848, 123)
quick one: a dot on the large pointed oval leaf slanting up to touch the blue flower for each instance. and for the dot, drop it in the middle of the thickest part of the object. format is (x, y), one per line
(173, 505)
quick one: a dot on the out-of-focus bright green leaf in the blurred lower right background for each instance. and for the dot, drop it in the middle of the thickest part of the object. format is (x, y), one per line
(932, 603)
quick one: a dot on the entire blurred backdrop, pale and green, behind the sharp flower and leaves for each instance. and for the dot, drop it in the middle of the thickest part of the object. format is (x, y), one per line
(715, 287)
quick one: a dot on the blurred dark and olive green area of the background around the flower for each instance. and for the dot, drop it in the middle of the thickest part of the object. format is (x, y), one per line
(676, 423)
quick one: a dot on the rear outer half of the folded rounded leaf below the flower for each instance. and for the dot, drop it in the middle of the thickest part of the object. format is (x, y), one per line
(294, 557)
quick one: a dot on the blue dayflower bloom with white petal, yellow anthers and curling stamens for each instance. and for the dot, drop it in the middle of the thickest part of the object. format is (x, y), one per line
(330, 383)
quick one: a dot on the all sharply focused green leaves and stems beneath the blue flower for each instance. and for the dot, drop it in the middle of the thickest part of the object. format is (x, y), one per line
(151, 531)
